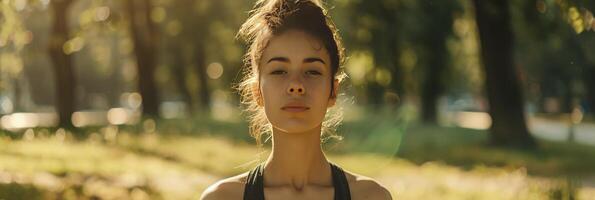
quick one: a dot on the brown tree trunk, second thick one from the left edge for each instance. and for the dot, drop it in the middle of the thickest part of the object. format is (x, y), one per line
(144, 36)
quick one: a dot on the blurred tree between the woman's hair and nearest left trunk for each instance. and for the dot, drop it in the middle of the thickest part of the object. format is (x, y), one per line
(190, 45)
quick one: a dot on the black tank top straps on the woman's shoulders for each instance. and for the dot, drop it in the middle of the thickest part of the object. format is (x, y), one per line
(254, 189)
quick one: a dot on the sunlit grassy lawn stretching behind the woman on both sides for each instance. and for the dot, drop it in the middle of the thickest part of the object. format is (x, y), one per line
(177, 161)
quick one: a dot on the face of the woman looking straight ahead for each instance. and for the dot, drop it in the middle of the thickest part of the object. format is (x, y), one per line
(295, 82)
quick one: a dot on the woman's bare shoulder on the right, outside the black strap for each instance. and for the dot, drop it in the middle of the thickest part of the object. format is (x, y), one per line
(363, 187)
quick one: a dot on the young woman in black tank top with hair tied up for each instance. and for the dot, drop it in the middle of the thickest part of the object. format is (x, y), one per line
(292, 78)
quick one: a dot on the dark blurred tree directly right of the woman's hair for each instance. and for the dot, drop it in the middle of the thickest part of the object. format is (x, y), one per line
(377, 27)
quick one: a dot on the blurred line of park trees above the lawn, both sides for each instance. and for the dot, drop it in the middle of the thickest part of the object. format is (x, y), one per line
(70, 55)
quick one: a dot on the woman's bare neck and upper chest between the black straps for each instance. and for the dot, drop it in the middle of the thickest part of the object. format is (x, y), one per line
(297, 160)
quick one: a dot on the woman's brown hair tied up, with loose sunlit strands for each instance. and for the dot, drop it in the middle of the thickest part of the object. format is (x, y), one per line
(273, 17)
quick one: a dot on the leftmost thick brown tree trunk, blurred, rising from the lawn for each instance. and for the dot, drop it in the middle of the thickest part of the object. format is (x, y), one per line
(62, 63)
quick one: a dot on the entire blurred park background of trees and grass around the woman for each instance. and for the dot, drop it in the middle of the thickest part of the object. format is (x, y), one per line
(461, 99)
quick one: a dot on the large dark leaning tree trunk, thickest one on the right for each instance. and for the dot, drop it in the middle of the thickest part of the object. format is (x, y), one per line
(502, 79)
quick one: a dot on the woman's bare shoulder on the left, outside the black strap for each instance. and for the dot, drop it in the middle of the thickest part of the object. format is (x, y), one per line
(229, 188)
